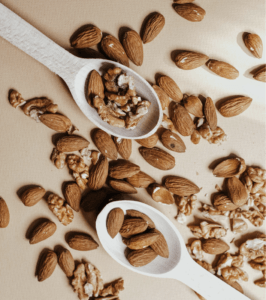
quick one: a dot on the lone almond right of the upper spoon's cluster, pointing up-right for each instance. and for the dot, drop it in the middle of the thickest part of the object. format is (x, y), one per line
(235, 106)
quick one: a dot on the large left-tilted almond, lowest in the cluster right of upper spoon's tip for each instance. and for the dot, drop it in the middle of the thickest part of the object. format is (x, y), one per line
(181, 119)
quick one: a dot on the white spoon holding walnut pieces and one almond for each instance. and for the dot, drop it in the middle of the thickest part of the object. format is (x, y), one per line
(74, 71)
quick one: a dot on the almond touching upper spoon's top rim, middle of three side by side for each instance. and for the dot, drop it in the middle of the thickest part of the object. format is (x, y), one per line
(114, 50)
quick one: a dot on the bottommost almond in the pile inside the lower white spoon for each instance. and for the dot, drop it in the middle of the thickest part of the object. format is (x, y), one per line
(140, 258)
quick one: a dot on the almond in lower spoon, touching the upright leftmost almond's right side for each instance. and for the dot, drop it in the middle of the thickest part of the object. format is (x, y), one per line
(133, 226)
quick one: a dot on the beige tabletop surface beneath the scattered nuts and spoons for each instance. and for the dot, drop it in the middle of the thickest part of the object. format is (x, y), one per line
(25, 146)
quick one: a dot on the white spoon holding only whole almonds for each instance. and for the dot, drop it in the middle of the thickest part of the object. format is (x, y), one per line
(178, 266)
